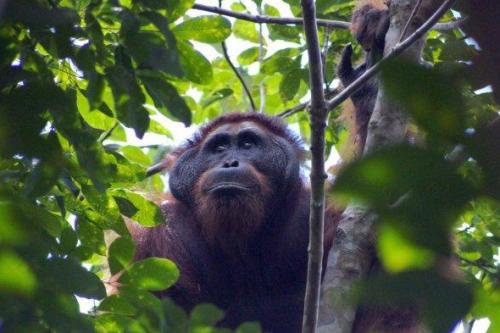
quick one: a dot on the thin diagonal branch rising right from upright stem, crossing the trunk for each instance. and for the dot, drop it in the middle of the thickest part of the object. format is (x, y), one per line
(397, 50)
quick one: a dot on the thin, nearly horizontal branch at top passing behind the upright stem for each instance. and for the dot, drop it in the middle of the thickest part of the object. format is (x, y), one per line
(268, 19)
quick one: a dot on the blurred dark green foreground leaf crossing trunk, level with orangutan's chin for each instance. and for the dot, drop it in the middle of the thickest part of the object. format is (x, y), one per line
(385, 175)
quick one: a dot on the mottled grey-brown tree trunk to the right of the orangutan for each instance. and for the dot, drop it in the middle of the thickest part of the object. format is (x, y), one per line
(352, 251)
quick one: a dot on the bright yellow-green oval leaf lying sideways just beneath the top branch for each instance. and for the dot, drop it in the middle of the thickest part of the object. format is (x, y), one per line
(207, 29)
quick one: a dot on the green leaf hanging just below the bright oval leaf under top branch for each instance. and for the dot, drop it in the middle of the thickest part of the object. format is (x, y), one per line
(195, 66)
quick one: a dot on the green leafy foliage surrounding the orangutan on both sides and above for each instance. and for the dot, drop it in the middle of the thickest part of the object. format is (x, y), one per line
(79, 76)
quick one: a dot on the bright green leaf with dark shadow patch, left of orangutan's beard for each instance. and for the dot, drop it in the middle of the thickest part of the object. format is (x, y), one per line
(139, 209)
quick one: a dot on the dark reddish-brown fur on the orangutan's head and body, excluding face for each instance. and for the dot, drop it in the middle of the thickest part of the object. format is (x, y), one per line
(247, 256)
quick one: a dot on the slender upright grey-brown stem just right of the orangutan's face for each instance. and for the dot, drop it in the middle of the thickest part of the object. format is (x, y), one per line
(318, 114)
